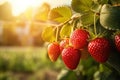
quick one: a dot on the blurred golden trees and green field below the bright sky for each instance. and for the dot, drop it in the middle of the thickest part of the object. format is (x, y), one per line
(23, 54)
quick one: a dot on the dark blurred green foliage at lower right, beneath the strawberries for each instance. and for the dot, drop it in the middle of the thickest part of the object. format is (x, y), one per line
(90, 70)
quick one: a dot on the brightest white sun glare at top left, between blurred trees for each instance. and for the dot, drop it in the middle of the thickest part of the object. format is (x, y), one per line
(20, 6)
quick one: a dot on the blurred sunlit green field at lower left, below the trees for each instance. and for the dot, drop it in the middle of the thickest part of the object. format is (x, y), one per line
(27, 63)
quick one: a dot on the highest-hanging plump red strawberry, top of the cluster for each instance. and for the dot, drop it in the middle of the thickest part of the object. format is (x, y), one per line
(79, 38)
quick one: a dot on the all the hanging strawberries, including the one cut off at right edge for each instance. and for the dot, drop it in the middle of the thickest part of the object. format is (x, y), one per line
(71, 48)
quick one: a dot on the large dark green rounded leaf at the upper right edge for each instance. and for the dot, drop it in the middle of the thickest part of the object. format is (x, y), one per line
(110, 17)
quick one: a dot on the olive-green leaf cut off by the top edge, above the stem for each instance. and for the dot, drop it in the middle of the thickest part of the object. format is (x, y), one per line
(82, 6)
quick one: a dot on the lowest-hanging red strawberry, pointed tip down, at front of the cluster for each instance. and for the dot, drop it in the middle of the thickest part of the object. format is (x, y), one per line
(71, 57)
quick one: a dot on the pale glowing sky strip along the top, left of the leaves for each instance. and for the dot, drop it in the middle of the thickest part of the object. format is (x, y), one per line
(20, 6)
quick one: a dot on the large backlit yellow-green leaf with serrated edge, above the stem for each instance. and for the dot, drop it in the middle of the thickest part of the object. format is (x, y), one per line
(60, 14)
